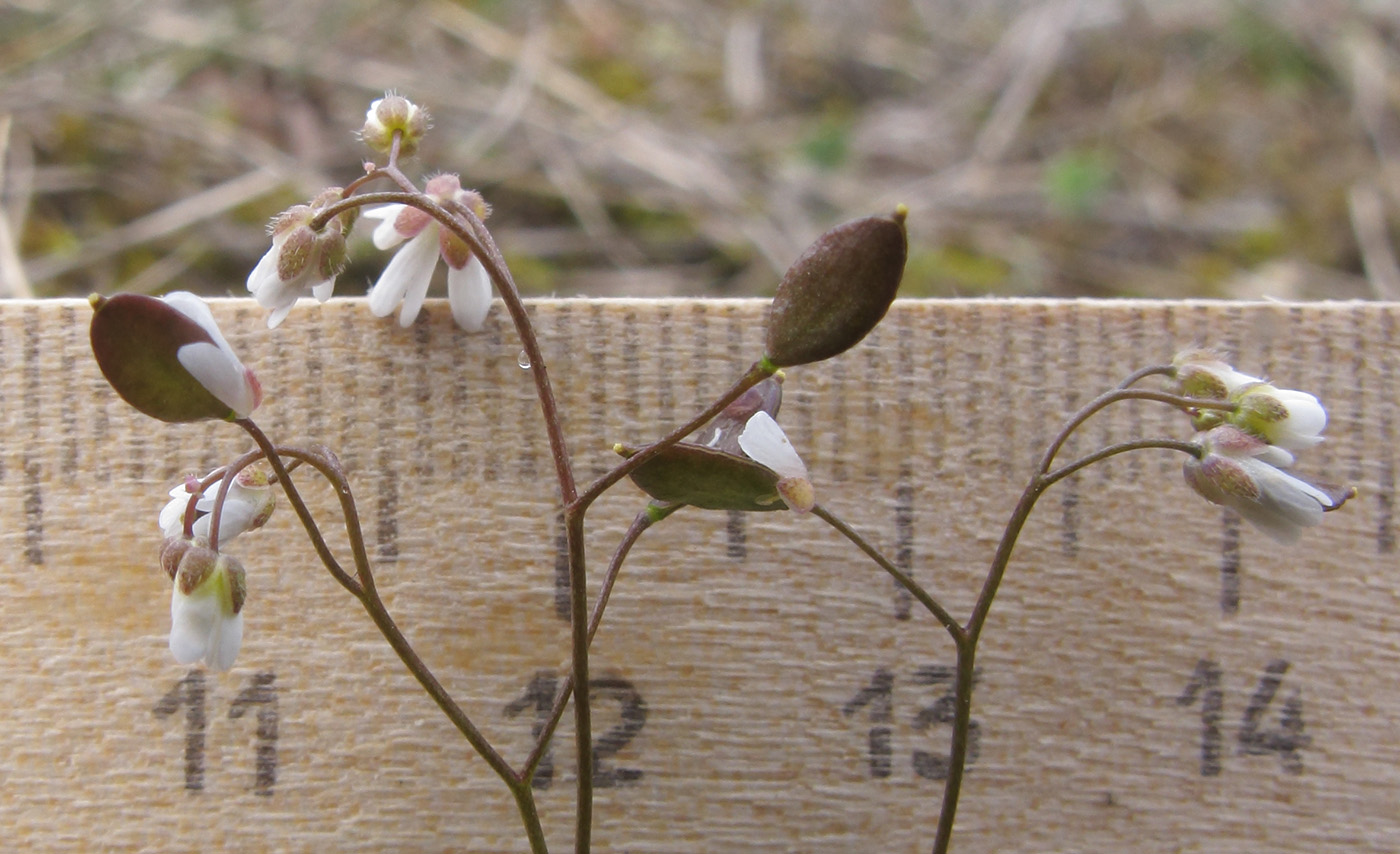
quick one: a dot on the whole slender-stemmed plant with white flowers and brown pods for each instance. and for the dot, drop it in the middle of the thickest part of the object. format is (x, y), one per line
(169, 359)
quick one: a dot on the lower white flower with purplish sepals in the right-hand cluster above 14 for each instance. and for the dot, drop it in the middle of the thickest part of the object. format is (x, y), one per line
(1240, 471)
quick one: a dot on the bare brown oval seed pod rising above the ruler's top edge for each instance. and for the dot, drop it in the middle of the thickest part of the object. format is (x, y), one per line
(838, 290)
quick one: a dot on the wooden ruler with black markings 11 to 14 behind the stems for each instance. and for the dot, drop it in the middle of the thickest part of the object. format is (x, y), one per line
(1156, 677)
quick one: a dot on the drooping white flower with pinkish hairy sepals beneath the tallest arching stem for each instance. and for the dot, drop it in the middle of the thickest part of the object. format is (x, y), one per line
(409, 272)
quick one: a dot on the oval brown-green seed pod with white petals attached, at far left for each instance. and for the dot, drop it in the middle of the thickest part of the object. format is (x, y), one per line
(169, 359)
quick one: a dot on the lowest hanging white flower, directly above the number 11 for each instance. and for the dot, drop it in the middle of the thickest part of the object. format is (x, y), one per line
(206, 610)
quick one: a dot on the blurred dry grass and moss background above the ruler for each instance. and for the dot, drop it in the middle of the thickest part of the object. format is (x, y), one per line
(663, 148)
